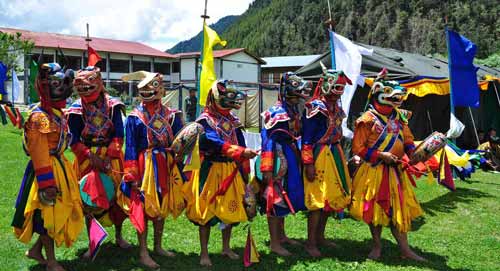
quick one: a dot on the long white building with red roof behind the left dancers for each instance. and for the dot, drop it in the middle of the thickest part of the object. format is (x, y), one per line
(120, 57)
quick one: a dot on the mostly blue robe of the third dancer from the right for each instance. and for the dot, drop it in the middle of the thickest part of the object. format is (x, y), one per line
(281, 155)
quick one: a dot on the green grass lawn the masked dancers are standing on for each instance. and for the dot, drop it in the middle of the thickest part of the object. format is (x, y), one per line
(460, 231)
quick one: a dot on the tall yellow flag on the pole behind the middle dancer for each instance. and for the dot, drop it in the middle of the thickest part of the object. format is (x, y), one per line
(207, 76)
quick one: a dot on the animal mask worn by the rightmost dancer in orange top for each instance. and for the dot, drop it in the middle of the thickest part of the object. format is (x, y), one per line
(388, 93)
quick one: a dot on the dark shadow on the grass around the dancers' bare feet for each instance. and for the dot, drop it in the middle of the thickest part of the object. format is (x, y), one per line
(348, 251)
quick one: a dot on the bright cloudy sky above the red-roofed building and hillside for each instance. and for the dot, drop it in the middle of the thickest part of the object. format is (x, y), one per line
(158, 23)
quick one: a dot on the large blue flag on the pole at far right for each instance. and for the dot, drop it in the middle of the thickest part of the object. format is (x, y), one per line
(463, 80)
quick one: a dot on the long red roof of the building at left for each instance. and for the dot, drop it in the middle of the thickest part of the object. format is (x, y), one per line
(52, 40)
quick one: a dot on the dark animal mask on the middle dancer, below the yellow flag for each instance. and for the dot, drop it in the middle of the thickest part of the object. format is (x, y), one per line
(226, 96)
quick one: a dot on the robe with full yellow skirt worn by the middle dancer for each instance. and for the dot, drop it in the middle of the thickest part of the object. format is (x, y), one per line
(216, 191)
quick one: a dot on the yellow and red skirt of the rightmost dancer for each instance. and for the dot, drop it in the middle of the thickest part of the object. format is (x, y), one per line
(383, 195)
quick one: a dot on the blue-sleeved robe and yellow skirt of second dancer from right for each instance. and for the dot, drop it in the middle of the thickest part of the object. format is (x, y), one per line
(322, 131)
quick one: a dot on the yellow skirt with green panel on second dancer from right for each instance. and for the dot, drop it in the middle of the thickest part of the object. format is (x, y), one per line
(331, 189)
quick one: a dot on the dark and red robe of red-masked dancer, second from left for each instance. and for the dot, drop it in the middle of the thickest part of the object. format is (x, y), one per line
(98, 128)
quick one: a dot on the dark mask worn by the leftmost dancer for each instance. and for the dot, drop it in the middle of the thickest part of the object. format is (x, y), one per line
(60, 81)
